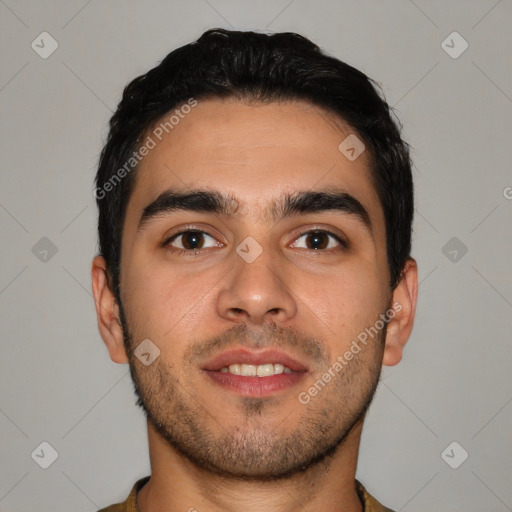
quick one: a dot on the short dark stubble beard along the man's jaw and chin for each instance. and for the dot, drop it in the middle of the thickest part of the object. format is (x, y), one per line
(249, 450)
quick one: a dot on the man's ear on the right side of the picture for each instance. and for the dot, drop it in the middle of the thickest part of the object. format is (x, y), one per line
(403, 302)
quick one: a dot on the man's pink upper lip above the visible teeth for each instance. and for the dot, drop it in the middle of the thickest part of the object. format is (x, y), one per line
(246, 356)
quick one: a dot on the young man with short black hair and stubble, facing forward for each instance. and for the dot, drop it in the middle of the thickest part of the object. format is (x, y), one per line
(255, 207)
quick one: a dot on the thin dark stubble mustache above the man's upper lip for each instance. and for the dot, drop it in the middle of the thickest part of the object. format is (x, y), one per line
(267, 336)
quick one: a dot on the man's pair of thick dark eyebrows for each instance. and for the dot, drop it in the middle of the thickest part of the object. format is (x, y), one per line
(215, 202)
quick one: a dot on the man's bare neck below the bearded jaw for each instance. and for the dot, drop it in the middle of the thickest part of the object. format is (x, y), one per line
(178, 484)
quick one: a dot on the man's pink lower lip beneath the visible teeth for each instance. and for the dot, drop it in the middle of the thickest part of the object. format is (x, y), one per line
(256, 386)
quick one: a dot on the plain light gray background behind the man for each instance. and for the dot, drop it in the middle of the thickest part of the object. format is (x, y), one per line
(58, 383)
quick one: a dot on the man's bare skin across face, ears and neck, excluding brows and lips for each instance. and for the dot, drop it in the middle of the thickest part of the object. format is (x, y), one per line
(213, 449)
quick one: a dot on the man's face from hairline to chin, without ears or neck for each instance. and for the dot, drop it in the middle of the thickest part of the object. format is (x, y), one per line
(280, 287)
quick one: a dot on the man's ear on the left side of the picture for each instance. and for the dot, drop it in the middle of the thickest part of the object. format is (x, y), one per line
(107, 311)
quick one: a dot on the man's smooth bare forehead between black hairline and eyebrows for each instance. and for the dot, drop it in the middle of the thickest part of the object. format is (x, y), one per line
(255, 152)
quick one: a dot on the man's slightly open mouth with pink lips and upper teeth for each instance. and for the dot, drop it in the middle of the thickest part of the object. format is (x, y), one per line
(255, 373)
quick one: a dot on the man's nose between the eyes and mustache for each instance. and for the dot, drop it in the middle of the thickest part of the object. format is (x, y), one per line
(257, 292)
